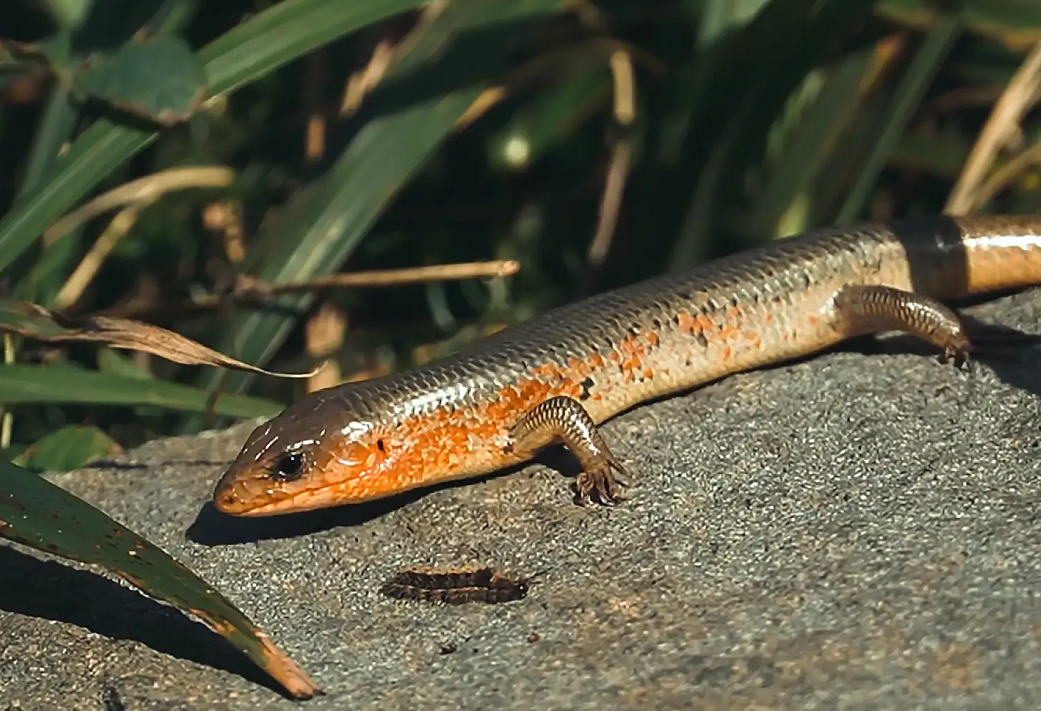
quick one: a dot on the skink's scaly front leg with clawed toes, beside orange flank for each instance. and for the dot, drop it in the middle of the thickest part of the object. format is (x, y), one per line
(565, 420)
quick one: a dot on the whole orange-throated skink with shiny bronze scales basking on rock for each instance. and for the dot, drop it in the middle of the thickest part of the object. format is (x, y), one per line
(557, 377)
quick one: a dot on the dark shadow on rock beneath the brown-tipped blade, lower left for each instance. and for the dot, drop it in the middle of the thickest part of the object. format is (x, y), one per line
(55, 592)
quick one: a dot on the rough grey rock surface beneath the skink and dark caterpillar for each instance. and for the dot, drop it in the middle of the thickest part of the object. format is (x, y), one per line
(860, 530)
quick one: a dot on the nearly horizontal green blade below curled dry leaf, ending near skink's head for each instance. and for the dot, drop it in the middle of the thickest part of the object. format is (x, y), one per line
(24, 385)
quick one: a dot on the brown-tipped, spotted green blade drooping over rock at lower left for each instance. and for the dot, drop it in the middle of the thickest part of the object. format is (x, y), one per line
(37, 514)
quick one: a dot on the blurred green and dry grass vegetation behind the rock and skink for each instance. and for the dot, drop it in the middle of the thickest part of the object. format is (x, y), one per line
(594, 142)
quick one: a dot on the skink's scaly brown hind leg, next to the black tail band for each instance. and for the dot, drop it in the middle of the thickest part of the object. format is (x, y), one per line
(864, 310)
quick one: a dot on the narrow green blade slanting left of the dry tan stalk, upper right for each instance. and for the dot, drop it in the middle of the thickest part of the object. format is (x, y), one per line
(907, 98)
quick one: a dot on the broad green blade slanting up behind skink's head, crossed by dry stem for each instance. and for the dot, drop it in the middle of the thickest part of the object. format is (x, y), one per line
(331, 221)
